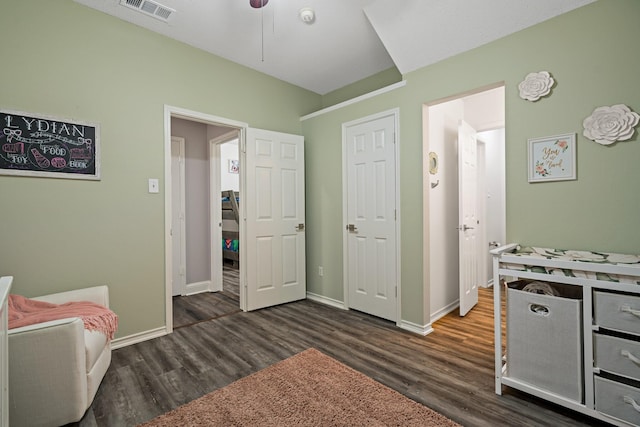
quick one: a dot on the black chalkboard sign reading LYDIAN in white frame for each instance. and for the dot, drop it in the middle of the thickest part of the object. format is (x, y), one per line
(35, 145)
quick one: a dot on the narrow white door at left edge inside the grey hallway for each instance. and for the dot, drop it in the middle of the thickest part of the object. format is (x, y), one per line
(178, 235)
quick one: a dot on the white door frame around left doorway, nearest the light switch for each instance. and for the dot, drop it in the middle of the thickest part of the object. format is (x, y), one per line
(169, 112)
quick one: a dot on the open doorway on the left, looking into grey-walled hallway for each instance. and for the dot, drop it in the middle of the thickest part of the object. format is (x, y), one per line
(197, 188)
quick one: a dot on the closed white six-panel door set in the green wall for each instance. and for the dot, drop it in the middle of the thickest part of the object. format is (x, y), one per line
(371, 211)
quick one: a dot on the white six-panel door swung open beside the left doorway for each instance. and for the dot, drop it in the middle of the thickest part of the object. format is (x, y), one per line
(275, 218)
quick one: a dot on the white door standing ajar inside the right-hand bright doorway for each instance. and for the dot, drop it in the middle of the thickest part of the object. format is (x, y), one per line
(467, 217)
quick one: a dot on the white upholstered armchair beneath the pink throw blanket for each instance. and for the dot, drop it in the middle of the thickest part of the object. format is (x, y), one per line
(55, 367)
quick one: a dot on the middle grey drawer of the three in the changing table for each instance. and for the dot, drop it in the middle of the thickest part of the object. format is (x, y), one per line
(617, 355)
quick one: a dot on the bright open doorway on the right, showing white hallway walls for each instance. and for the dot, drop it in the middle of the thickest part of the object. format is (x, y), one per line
(484, 111)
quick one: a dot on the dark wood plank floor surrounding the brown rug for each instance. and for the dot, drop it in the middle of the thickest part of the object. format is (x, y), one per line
(449, 370)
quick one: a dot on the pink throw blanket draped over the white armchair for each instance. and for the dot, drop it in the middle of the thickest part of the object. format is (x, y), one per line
(24, 311)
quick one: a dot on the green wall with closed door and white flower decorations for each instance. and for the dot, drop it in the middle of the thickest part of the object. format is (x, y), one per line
(592, 54)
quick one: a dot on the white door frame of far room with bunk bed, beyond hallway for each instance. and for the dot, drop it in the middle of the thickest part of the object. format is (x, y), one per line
(215, 187)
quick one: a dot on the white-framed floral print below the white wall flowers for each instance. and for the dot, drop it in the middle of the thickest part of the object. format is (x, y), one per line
(552, 158)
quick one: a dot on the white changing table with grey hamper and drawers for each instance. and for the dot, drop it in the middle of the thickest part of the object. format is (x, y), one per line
(607, 335)
